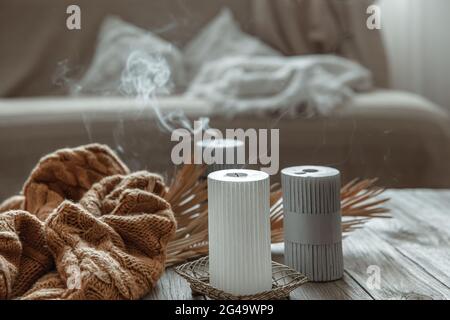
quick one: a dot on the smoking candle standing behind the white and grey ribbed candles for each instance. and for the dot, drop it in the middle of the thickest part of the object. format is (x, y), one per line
(226, 147)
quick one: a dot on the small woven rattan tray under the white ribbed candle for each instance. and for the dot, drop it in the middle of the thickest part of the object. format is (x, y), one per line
(284, 280)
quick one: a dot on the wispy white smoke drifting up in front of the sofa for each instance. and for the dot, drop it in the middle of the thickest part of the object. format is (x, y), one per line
(144, 77)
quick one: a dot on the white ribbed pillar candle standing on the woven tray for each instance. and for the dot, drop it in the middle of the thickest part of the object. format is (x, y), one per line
(239, 231)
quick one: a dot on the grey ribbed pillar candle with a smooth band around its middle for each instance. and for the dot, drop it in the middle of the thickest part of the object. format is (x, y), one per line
(312, 221)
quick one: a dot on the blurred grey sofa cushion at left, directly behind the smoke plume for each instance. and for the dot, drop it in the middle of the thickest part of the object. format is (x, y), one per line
(126, 54)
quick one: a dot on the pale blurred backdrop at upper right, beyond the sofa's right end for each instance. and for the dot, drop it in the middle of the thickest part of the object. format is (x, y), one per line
(417, 35)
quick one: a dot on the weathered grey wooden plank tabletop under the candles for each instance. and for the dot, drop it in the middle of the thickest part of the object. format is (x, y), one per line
(412, 252)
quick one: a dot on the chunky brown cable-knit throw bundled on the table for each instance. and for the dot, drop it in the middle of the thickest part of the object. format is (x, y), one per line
(84, 228)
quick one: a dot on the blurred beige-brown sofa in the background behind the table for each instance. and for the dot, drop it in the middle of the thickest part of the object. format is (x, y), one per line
(399, 137)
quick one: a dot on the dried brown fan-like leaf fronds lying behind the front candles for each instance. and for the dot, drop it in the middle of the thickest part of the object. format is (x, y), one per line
(188, 196)
